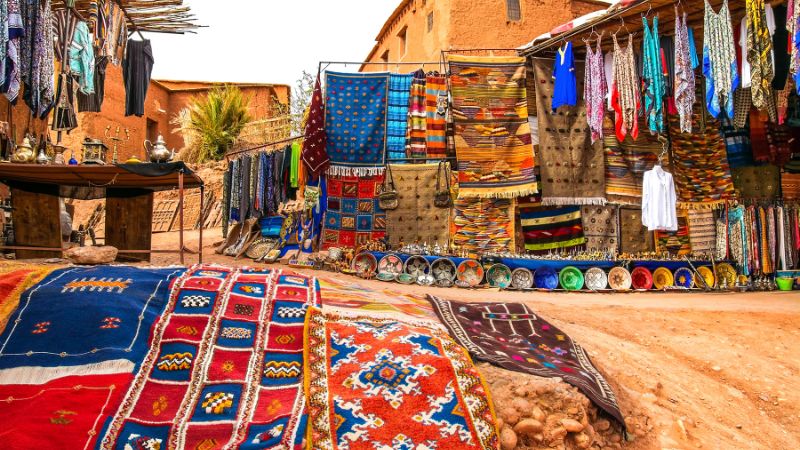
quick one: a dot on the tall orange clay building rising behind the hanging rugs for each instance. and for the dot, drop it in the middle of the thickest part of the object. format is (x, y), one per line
(418, 30)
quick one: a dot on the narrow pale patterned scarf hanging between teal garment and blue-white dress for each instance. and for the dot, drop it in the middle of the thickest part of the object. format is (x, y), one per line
(684, 86)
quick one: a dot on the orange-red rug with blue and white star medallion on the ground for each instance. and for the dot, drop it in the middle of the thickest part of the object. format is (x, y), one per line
(380, 383)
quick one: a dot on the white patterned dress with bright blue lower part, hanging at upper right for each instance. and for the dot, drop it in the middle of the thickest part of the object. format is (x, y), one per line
(719, 60)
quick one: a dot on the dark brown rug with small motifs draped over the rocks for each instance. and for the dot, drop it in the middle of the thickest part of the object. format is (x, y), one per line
(511, 336)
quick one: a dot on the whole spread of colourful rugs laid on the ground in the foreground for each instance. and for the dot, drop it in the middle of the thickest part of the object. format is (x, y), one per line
(218, 357)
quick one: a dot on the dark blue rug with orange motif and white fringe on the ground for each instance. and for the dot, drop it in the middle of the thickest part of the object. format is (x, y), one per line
(84, 321)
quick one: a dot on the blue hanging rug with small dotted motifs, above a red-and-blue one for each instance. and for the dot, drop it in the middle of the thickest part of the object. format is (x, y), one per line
(355, 122)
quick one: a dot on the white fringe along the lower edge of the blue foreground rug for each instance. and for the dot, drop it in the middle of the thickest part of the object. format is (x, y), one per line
(41, 375)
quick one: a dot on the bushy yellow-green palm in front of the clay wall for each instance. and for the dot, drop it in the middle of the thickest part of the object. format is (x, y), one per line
(213, 123)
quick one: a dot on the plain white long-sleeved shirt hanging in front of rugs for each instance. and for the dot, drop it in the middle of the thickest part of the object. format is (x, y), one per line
(659, 201)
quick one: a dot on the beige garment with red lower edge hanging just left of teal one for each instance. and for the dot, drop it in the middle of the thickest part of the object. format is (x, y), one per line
(625, 91)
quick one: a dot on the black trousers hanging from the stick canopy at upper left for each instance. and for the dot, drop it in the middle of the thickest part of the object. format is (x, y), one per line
(136, 71)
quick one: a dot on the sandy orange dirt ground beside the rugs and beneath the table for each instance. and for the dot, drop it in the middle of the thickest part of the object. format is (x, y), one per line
(694, 370)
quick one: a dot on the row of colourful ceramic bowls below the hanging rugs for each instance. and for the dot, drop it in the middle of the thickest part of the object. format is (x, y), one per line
(470, 273)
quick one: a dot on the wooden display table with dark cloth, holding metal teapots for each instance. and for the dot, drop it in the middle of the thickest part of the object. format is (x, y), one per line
(127, 188)
